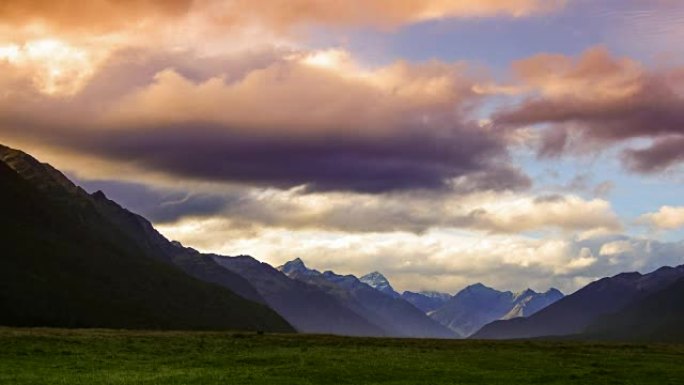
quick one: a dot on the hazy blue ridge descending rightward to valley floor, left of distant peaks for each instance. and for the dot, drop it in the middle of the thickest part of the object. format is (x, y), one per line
(396, 317)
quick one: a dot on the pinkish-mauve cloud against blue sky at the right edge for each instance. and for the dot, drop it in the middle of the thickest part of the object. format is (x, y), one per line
(598, 100)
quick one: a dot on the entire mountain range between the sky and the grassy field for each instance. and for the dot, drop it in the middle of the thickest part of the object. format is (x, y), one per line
(74, 259)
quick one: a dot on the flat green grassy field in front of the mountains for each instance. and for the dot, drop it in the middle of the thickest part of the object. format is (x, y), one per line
(56, 356)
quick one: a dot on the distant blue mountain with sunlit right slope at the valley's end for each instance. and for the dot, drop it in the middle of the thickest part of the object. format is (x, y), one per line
(477, 305)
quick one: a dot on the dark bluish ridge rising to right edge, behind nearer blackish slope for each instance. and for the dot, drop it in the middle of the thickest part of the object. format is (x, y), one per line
(574, 313)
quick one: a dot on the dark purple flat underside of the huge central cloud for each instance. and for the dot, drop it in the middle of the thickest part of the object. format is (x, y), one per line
(419, 161)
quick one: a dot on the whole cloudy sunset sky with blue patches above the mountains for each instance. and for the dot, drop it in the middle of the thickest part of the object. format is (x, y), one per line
(517, 143)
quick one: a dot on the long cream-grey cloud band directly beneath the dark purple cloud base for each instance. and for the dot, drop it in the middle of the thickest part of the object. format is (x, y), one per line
(296, 209)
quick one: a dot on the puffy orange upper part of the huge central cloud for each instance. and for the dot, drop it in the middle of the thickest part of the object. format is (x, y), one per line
(308, 94)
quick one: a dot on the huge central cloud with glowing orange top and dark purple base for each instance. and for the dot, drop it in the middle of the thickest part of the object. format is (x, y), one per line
(305, 118)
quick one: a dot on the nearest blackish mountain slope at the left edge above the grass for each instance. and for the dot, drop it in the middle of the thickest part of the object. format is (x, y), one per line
(64, 263)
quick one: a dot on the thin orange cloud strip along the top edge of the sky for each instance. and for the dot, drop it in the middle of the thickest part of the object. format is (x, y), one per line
(110, 15)
